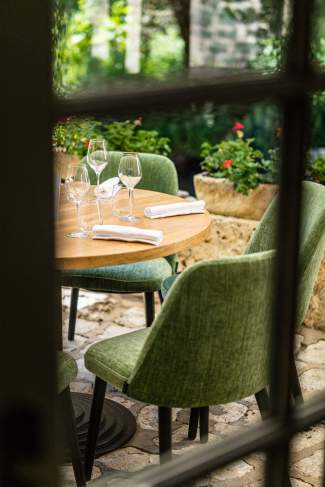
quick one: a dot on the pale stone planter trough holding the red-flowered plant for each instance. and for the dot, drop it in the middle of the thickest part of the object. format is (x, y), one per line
(221, 198)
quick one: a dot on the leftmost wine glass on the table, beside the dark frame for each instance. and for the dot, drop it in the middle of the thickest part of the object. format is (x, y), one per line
(77, 185)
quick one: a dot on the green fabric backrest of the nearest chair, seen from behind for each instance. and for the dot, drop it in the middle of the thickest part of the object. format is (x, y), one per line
(210, 341)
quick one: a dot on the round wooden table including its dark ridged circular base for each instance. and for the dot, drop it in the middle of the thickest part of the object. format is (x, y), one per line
(179, 233)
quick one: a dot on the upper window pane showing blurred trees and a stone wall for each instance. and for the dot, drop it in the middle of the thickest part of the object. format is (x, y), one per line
(110, 41)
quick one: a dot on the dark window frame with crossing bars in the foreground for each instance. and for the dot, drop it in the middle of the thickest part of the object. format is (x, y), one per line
(25, 90)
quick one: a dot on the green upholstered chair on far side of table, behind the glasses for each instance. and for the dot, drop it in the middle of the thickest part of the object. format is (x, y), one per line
(158, 174)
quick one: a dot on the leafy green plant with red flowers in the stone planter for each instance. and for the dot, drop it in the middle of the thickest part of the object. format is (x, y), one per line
(234, 159)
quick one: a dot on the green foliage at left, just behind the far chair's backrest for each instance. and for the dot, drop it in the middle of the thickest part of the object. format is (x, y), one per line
(74, 135)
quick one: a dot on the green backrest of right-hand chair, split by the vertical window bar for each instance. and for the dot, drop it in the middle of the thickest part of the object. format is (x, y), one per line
(312, 240)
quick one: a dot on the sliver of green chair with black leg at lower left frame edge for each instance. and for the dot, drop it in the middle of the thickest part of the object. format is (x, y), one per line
(67, 372)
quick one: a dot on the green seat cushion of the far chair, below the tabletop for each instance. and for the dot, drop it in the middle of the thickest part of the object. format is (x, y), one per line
(140, 277)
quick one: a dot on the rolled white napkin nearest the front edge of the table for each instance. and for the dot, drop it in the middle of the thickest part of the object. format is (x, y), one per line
(129, 234)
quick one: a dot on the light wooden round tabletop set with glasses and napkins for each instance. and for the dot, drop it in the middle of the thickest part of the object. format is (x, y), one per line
(180, 232)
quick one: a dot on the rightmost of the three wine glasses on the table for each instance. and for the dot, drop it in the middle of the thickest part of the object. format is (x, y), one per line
(129, 172)
